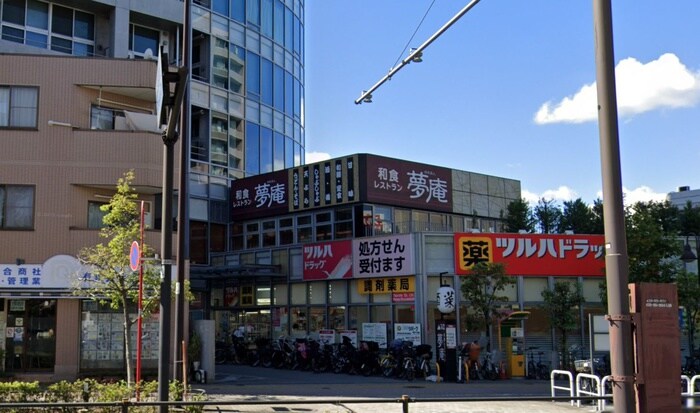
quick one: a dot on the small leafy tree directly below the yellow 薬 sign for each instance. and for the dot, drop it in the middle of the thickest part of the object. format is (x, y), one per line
(481, 289)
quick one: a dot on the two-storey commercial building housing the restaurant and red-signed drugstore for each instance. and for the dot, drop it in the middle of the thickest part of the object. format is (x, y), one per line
(359, 246)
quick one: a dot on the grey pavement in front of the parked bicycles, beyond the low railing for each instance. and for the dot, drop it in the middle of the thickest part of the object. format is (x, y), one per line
(244, 389)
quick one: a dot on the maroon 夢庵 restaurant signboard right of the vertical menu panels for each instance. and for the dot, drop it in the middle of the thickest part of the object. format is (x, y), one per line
(409, 184)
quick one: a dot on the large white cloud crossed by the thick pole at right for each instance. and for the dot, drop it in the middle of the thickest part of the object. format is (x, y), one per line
(641, 87)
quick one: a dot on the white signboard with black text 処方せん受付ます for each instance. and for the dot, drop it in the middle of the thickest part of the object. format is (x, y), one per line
(382, 256)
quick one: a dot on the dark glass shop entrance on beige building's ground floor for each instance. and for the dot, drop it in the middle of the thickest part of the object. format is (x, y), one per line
(30, 335)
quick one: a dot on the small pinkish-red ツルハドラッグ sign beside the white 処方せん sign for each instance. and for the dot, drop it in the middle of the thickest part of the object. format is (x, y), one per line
(328, 260)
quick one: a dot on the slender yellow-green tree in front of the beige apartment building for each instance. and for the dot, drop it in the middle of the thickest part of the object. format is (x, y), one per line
(111, 281)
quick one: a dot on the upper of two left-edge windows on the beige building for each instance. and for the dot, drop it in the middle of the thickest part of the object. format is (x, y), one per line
(18, 106)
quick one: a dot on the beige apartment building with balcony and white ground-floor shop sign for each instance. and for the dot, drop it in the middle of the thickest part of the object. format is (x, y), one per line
(70, 127)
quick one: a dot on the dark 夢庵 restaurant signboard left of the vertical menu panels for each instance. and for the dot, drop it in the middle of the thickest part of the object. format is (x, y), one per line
(259, 196)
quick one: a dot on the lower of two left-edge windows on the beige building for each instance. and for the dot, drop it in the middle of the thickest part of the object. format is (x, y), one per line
(16, 207)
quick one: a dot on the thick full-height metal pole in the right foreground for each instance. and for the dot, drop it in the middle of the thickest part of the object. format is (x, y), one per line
(616, 260)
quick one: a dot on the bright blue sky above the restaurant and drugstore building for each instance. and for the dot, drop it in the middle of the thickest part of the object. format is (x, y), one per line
(509, 90)
